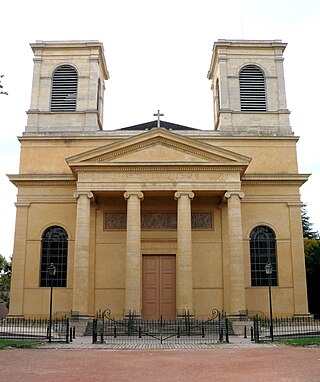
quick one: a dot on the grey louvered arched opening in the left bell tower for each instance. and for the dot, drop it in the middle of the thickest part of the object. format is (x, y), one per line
(64, 89)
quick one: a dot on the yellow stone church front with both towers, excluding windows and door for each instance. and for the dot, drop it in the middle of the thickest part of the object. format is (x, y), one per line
(75, 175)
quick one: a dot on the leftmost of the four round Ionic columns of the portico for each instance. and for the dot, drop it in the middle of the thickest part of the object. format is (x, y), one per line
(81, 254)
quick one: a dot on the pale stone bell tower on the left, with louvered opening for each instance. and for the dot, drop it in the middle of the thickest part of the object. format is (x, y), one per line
(68, 87)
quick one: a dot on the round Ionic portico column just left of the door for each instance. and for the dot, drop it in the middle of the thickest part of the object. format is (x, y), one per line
(133, 252)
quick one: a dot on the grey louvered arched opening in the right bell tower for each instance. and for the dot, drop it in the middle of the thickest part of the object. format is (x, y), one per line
(252, 89)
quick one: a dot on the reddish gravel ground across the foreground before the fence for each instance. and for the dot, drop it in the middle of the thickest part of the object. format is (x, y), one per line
(239, 361)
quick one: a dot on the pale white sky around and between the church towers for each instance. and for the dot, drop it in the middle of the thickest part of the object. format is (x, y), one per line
(158, 54)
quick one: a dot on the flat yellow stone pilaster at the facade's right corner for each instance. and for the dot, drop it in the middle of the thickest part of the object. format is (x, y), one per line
(298, 260)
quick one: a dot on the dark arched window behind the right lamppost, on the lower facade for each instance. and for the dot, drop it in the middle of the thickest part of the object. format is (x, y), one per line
(262, 251)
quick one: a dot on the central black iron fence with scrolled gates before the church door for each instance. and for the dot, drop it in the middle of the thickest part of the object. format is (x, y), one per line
(134, 329)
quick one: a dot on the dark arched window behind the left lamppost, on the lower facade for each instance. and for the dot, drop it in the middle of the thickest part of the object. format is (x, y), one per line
(54, 249)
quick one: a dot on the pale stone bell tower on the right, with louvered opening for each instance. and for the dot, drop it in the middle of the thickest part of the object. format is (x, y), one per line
(248, 87)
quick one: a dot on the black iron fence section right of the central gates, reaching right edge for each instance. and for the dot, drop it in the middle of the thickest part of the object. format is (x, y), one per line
(283, 328)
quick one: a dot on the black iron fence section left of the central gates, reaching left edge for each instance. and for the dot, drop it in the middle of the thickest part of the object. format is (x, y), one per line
(36, 329)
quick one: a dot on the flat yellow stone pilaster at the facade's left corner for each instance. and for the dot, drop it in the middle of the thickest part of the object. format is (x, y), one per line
(18, 261)
